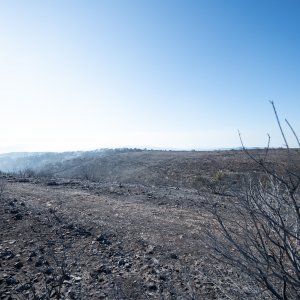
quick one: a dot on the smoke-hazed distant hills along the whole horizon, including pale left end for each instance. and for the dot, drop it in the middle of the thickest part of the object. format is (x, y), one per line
(190, 169)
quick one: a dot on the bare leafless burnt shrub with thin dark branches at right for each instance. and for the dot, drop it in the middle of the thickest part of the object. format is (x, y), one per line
(257, 231)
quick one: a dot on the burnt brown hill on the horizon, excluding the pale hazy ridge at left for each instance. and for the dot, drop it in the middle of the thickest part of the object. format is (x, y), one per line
(189, 169)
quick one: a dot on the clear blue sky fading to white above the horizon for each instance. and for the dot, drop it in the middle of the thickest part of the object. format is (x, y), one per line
(146, 73)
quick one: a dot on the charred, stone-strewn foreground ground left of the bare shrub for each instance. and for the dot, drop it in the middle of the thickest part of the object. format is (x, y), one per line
(73, 239)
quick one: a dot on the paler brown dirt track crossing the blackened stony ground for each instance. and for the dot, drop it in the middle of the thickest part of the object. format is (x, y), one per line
(173, 228)
